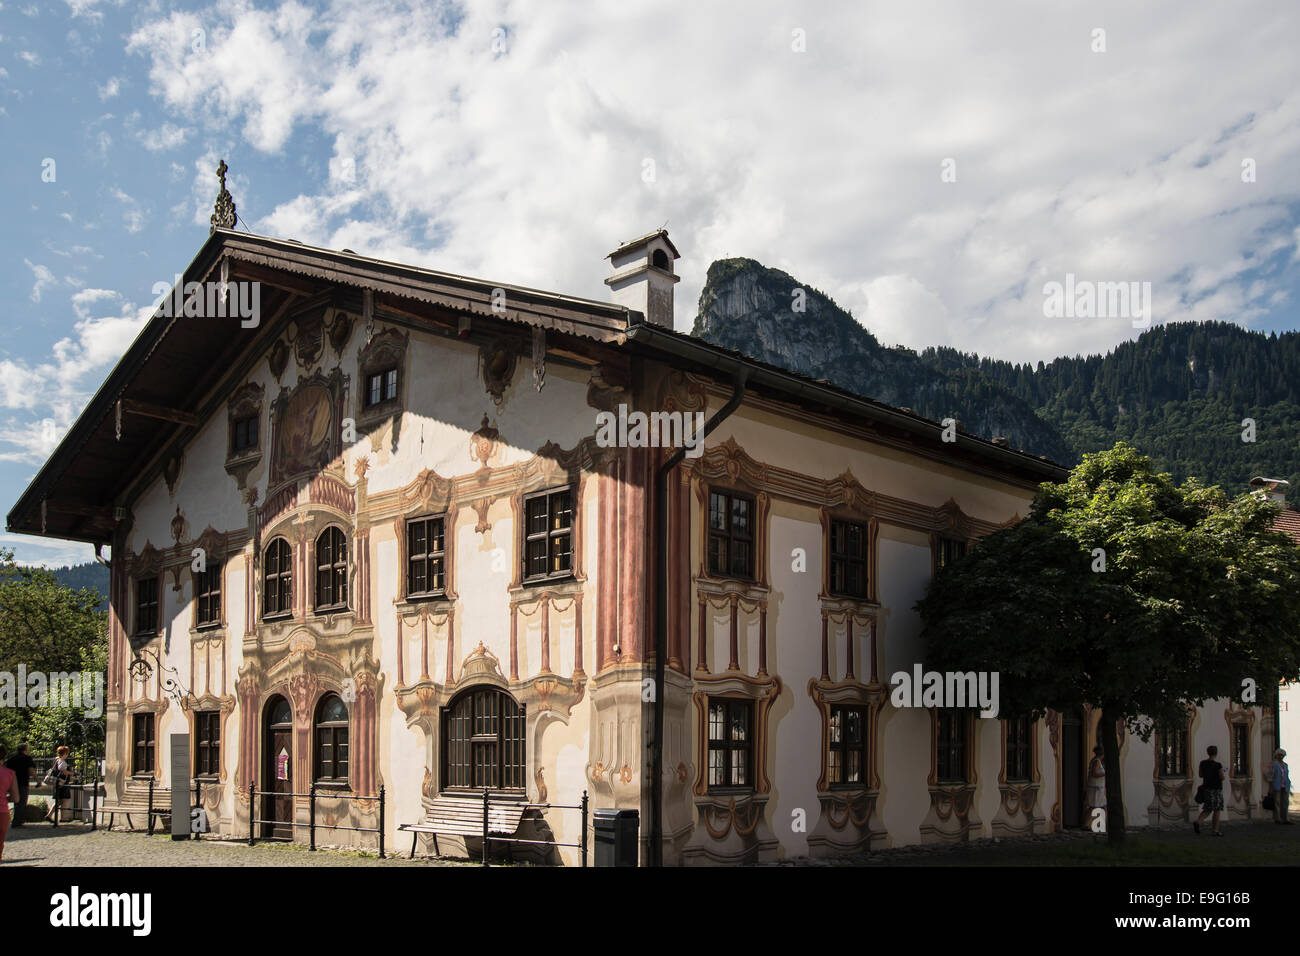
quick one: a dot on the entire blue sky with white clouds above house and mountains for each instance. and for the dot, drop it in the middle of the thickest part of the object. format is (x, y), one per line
(525, 141)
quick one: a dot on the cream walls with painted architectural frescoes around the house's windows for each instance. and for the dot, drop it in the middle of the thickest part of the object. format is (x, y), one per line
(470, 436)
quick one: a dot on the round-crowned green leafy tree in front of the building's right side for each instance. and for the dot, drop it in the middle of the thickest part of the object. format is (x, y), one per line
(1197, 596)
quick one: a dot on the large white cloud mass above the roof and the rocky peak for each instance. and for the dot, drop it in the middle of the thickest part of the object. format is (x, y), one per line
(527, 166)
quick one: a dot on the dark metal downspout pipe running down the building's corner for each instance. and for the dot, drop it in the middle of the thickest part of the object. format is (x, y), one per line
(661, 611)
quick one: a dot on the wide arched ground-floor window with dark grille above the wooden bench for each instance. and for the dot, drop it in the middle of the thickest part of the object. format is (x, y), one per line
(483, 742)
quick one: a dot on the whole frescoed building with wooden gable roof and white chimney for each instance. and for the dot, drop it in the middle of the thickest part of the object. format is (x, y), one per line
(375, 539)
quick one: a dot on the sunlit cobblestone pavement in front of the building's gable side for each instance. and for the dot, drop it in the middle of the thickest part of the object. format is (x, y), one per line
(41, 845)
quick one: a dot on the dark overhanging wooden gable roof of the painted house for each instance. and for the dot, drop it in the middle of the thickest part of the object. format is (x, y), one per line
(176, 365)
